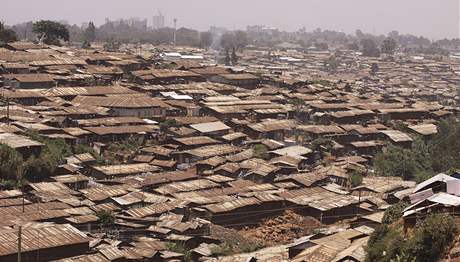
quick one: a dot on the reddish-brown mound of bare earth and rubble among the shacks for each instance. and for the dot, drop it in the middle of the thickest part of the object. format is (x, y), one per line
(282, 229)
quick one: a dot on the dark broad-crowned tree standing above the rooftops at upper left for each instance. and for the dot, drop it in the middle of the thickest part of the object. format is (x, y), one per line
(50, 32)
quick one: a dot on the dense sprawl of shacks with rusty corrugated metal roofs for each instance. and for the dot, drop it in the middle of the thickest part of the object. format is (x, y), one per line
(204, 170)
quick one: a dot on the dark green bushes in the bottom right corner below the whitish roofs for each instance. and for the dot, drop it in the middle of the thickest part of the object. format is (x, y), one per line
(429, 241)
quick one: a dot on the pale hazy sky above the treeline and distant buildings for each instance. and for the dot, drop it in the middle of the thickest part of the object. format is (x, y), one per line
(431, 18)
